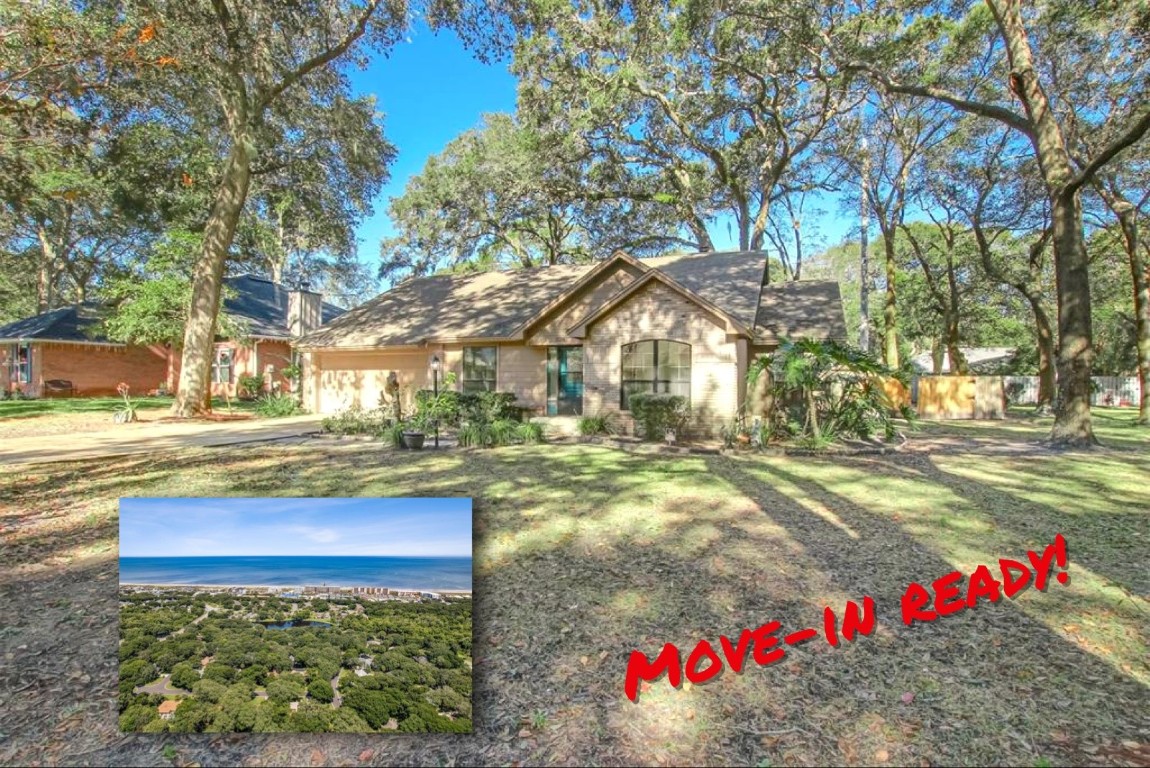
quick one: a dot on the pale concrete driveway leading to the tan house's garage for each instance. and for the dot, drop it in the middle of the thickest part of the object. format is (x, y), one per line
(152, 439)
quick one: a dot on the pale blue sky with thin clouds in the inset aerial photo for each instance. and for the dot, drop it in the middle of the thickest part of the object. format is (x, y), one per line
(174, 528)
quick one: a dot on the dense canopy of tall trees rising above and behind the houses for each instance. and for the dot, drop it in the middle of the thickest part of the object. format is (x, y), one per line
(998, 148)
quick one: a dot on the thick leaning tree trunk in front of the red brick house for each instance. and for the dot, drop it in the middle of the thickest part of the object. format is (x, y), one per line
(195, 394)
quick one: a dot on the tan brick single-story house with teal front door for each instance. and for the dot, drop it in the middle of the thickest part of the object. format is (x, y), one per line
(574, 340)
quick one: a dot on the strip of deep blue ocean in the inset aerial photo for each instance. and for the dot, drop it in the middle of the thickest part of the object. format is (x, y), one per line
(396, 573)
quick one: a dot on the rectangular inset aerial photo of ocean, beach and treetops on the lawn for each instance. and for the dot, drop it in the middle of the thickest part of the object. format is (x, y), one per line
(296, 616)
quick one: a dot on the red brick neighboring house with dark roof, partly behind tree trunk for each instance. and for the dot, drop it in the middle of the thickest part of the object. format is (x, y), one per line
(67, 344)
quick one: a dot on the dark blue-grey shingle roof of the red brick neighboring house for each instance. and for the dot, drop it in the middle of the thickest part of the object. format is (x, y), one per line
(262, 304)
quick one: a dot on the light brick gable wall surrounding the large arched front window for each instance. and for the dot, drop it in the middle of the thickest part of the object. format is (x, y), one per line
(657, 312)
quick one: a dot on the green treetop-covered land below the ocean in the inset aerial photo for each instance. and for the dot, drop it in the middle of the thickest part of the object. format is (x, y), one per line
(220, 663)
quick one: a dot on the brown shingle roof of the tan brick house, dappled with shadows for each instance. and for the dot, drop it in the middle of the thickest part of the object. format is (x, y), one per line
(495, 305)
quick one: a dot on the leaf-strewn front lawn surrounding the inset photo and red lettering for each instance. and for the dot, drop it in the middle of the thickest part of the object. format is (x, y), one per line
(585, 554)
